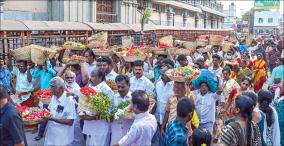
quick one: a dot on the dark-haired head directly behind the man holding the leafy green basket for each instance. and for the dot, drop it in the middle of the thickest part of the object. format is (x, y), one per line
(104, 63)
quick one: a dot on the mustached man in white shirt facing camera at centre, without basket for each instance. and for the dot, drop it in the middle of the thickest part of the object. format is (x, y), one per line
(139, 81)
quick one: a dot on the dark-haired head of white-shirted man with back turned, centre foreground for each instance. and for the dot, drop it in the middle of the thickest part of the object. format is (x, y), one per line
(140, 101)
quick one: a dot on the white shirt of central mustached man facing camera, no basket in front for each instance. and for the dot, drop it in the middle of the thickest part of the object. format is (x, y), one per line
(142, 83)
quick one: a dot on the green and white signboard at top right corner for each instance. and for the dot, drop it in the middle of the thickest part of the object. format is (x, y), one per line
(266, 4)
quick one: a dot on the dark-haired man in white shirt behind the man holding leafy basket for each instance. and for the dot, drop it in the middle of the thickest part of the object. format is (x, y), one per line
(106, 65)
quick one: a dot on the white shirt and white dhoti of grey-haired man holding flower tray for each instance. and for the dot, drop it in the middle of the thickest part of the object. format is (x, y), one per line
(60, 134)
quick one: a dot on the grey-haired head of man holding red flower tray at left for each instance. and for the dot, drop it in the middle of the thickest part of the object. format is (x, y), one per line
(57, 86)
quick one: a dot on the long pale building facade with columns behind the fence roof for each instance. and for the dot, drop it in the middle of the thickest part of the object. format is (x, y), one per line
(185, 13)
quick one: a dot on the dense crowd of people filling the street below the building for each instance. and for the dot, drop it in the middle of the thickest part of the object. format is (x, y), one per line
(243, 111)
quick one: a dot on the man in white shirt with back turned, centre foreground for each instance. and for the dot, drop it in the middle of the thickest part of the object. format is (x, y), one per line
(144, 125)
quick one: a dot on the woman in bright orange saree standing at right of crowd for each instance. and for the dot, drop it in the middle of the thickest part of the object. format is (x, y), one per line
(259, 75)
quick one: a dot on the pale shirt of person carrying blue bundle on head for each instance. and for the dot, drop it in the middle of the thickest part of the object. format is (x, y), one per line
(206, 106)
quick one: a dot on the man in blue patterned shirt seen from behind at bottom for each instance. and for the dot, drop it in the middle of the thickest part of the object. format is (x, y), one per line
(177, 133)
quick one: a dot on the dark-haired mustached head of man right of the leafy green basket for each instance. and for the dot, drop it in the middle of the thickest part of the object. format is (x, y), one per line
(123, 84)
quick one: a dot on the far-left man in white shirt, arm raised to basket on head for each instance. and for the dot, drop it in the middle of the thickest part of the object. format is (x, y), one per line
(23, 81)
